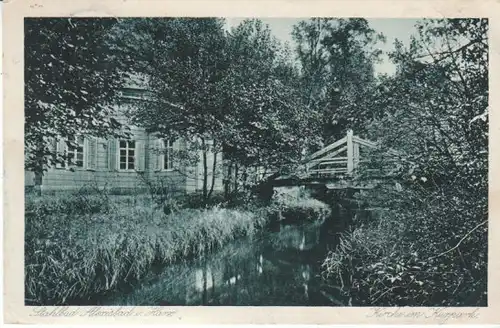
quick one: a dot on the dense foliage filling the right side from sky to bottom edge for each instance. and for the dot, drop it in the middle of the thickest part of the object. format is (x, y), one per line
(429, 245)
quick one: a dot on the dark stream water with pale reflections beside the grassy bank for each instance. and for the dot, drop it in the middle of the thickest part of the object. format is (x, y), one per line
(275, 268)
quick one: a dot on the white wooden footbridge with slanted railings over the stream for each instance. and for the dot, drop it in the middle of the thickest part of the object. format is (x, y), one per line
(337, 166)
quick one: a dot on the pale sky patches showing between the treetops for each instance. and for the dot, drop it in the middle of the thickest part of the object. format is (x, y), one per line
(393, 29)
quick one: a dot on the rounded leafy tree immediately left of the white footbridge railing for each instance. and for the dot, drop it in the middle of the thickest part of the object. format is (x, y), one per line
(270, 123)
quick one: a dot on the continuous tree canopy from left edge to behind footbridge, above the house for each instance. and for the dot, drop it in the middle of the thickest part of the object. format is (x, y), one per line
(239, 91)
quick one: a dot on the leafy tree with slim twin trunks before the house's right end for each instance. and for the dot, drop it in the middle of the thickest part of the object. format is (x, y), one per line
(185, 61)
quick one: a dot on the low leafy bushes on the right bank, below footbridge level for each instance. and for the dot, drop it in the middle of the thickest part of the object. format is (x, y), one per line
(422, 248)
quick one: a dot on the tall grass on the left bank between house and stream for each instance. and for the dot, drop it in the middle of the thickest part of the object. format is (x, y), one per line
(78, 247)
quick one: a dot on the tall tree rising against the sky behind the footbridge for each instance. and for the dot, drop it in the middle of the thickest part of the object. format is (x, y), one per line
(337, 57)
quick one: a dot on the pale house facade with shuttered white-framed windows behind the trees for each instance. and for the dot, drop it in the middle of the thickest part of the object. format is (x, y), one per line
(141, 162)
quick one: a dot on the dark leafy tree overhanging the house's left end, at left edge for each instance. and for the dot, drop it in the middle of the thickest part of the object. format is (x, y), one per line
(71, 78)
